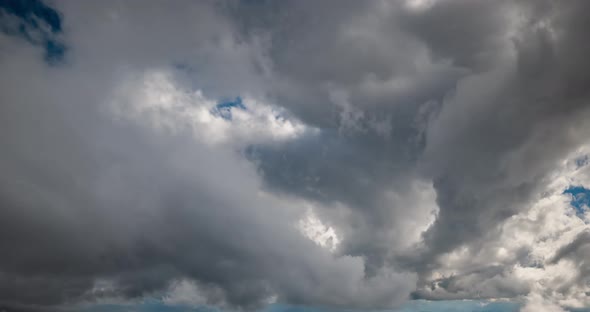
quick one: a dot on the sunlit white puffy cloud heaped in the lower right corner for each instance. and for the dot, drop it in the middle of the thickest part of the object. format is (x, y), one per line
(527, 257)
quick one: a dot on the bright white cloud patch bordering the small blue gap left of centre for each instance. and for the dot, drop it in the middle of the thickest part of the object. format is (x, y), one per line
(155, 100)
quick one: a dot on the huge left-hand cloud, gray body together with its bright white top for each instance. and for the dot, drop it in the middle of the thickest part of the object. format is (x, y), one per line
(116, 179)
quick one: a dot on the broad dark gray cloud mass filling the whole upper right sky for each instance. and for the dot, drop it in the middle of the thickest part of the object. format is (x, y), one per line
(501, 112)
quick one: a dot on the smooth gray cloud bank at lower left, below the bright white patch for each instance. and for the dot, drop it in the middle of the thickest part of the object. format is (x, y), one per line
(108, 201)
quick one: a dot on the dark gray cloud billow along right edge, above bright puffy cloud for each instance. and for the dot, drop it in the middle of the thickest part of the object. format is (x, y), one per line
(485, 147)
